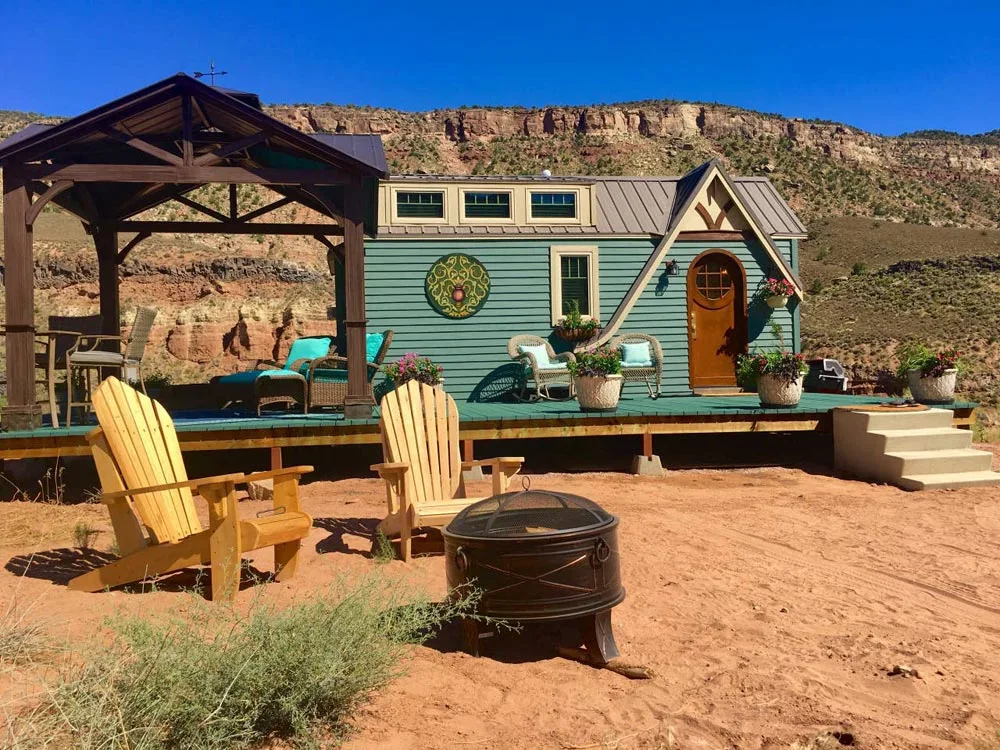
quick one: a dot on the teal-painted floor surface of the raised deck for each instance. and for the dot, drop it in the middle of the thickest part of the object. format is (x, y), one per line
(630, 408)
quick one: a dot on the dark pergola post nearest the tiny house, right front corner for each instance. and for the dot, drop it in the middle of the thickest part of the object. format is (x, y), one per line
(359, 401)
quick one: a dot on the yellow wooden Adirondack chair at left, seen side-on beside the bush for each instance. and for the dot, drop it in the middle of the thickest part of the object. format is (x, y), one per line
(147, 491)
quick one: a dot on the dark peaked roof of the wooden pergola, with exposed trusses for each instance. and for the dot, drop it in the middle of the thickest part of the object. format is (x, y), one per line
(153, 127)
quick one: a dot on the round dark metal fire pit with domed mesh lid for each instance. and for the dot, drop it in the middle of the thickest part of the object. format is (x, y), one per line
(538, 556)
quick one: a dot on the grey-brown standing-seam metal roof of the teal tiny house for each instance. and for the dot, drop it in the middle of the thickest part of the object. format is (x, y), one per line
(624, 205)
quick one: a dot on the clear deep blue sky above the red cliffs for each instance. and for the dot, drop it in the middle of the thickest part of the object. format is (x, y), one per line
(887, 68)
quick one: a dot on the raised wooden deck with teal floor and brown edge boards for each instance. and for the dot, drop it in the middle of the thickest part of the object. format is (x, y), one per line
(208, 431)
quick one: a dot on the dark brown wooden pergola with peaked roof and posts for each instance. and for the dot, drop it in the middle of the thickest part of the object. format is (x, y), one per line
(158, 144)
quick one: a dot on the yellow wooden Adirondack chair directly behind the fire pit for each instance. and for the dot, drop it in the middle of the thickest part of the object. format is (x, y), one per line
(422, 469)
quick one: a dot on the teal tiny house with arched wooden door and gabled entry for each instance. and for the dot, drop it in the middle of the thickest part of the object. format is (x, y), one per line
(460, 264)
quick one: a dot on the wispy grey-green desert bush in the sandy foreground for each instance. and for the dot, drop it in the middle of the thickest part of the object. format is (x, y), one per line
(218, 679)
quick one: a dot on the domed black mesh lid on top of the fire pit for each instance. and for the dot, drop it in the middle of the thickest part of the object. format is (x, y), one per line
(529, 513)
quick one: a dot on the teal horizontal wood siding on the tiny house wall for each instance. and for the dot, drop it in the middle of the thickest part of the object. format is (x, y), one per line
(473, 351)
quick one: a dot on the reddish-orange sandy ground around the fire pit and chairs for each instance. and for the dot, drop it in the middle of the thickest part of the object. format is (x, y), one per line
(770, 604)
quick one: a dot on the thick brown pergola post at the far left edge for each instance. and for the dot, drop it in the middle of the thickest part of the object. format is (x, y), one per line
(22, 410)
